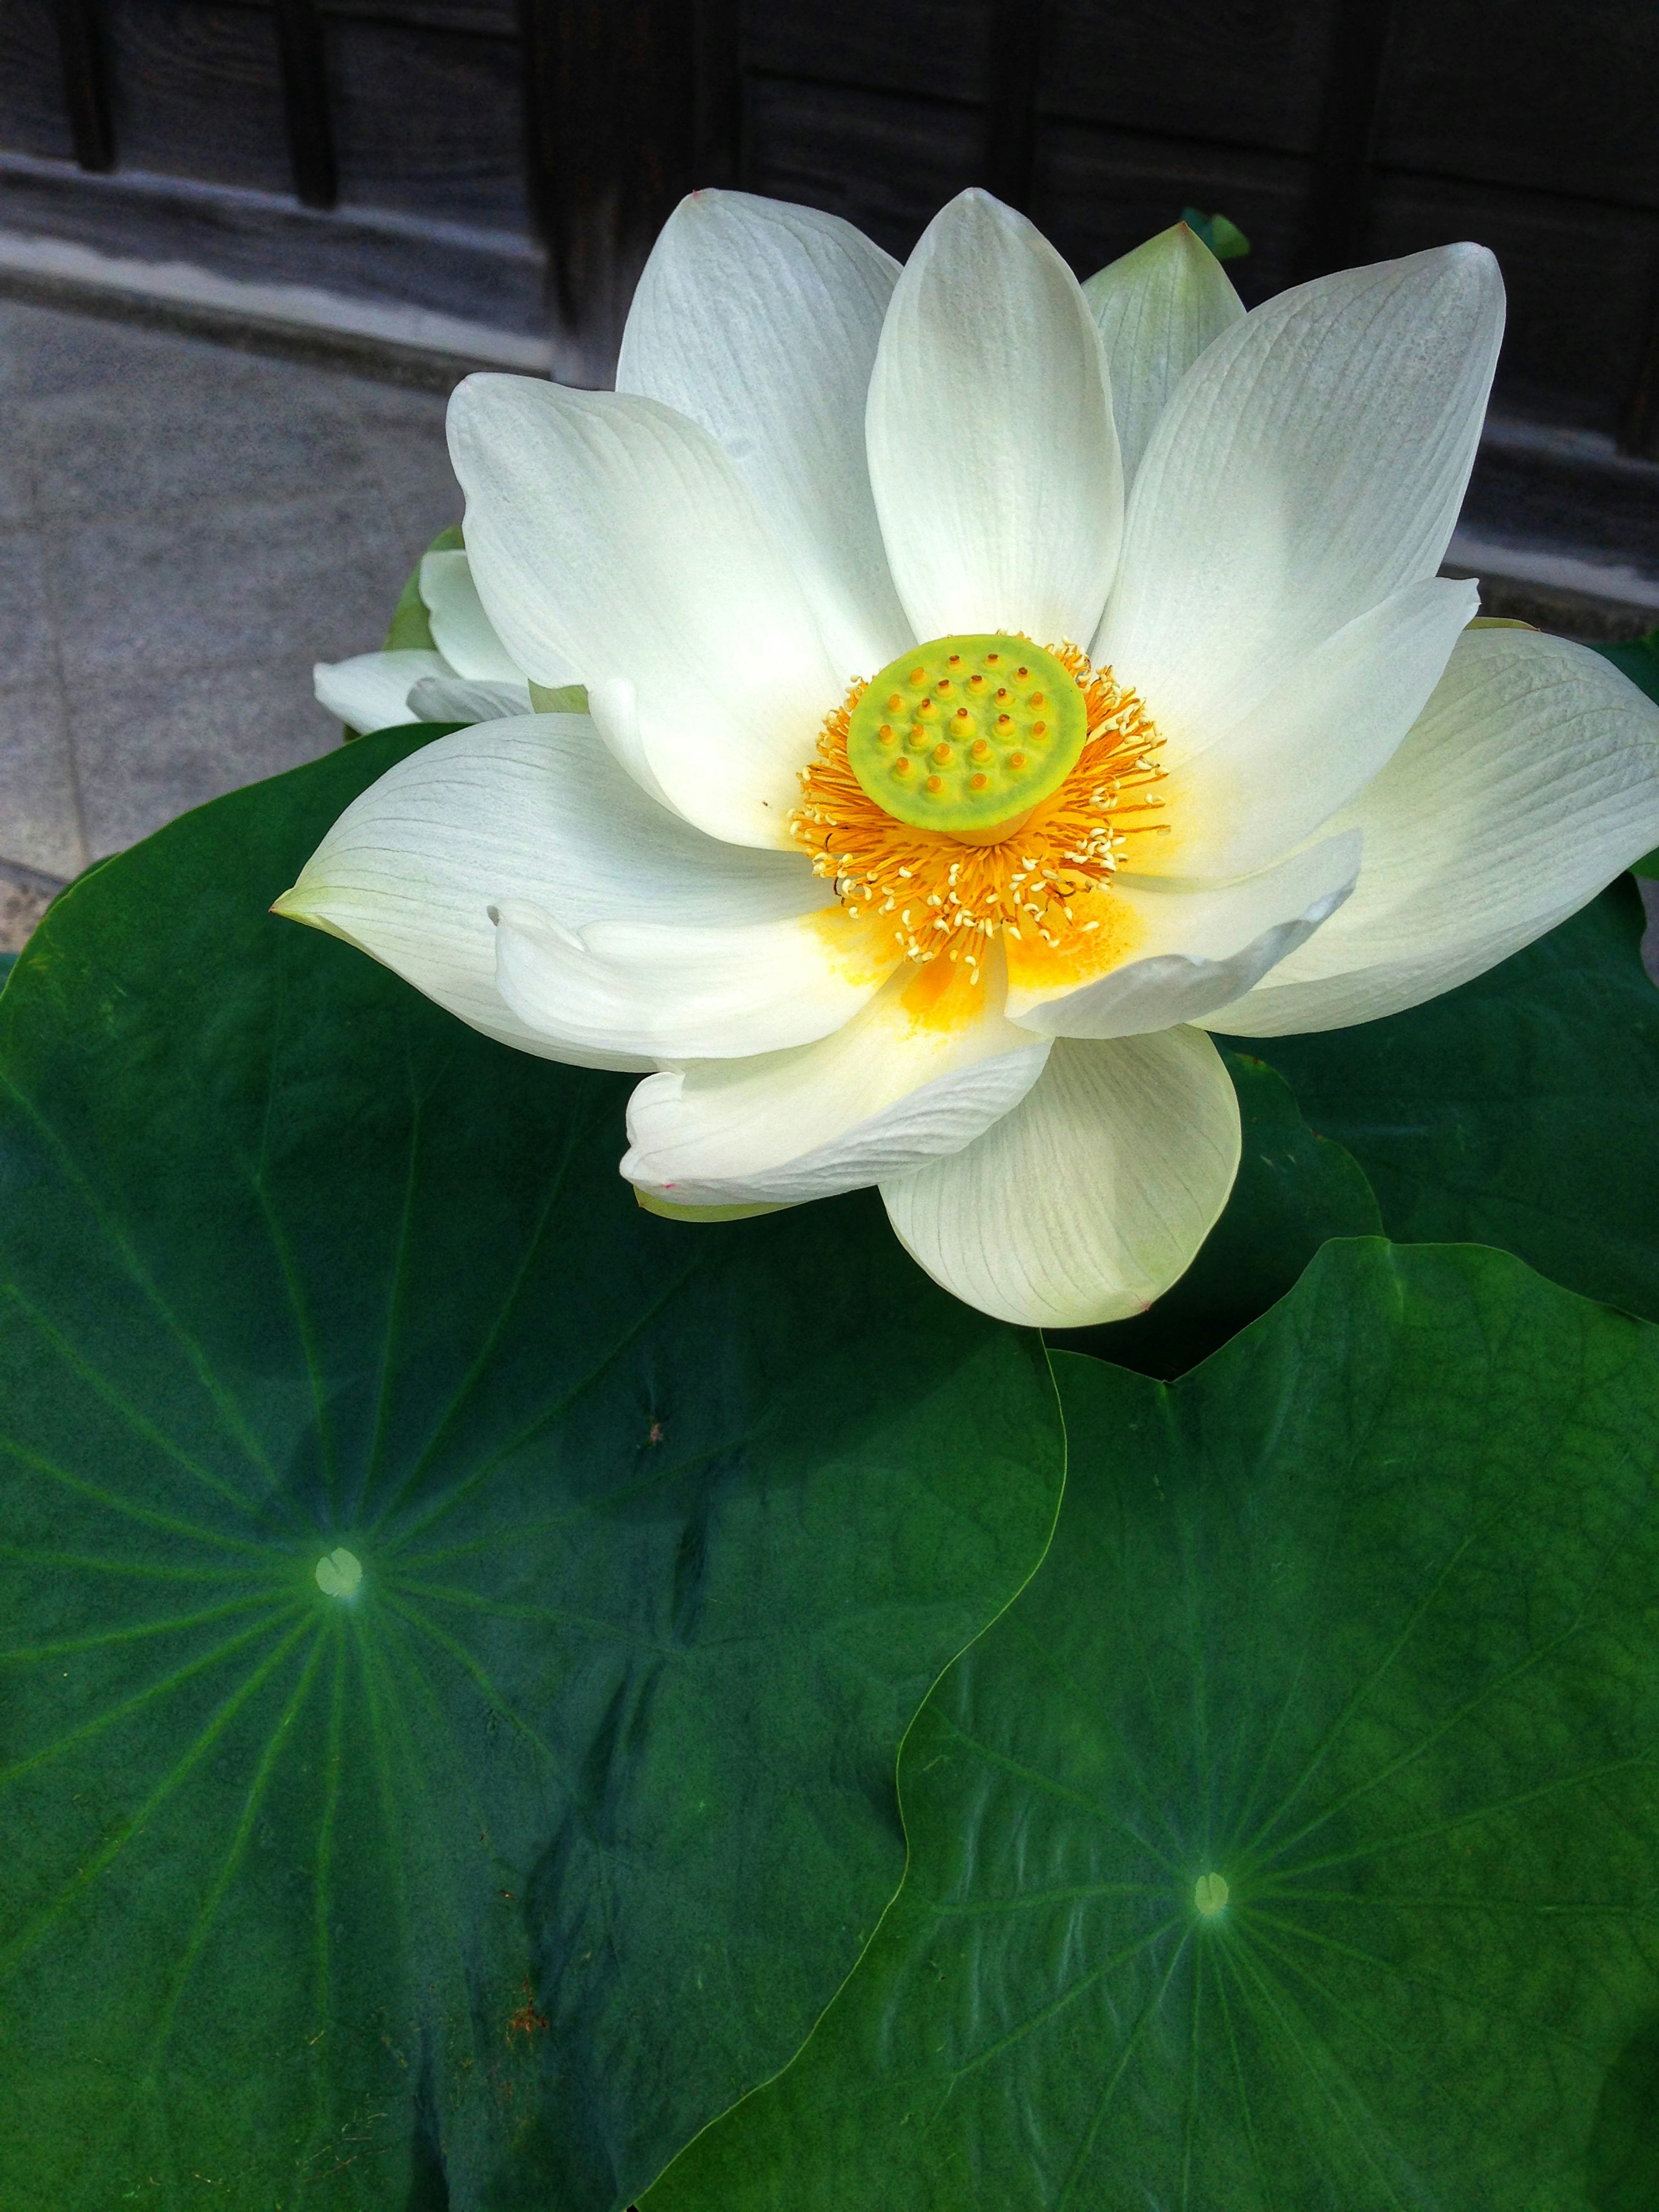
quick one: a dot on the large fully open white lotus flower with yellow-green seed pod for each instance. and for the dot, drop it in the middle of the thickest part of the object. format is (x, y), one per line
(937, 797)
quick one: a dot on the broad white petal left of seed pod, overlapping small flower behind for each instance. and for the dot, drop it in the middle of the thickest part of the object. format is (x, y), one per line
(612, 536)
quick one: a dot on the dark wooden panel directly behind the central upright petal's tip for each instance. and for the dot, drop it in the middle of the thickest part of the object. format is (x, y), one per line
(884, 160)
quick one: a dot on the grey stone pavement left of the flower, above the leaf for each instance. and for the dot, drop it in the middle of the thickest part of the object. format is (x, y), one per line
(182, 532)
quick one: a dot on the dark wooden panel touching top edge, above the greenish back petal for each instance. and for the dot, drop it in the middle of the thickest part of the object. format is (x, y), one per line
(1238, 72)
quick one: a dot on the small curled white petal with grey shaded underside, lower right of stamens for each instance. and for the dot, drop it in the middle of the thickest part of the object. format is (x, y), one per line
(1198, 948)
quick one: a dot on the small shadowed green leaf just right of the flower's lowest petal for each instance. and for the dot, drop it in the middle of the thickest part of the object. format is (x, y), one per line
(1293, 1193)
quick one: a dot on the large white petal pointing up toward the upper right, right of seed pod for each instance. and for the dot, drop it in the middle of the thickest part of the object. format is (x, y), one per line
(1311, 463)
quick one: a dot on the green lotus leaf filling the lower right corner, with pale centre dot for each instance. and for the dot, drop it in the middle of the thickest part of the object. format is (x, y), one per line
(1291, 1841)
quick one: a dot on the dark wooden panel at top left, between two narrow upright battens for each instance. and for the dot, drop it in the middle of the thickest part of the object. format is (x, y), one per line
(198, 92)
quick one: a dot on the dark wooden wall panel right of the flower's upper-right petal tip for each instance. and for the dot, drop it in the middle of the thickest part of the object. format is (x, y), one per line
(1578, 275)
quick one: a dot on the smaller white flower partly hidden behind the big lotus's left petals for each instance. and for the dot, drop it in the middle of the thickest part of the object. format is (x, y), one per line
(470, 678)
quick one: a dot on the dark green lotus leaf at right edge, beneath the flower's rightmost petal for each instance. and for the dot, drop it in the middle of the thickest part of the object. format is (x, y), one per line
(1516, 1112)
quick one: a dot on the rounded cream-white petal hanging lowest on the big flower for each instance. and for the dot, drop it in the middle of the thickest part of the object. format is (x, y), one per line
(1094, 1196)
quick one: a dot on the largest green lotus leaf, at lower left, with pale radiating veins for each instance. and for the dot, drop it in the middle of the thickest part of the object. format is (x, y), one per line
(457, 1627)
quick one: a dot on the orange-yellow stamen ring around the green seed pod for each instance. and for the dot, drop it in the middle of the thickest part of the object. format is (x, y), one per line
(948, 897)
